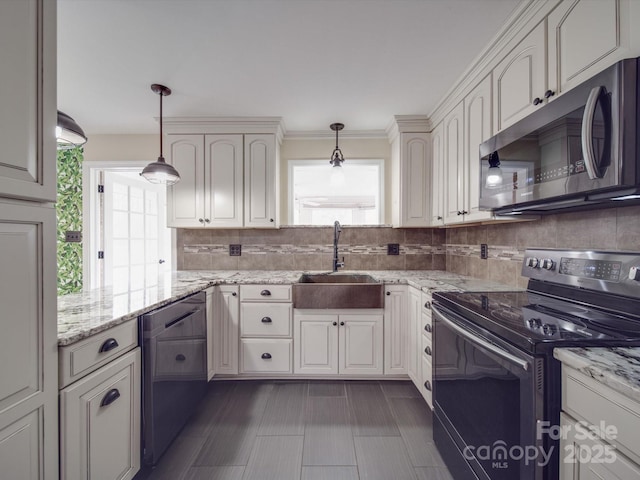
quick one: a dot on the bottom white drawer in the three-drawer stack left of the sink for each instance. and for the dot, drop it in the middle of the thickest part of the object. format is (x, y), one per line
(265, 356)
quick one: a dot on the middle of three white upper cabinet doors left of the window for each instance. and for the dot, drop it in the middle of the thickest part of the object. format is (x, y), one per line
(223, 180)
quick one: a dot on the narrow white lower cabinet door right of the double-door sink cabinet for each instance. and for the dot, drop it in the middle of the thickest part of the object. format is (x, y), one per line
(396, 330)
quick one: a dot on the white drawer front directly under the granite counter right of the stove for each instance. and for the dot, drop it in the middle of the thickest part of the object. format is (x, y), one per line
(585, 399)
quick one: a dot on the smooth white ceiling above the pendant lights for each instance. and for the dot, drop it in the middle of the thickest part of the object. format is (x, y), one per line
(312, 62)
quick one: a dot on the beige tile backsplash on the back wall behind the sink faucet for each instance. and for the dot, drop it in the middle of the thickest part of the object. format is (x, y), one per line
(311, 248)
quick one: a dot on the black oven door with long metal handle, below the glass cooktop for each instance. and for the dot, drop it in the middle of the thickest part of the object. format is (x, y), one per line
(487, 402)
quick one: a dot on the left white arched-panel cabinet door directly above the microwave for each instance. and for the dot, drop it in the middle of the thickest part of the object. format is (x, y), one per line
(519, 79)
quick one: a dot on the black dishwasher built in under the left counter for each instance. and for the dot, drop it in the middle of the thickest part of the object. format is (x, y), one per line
(174, 371)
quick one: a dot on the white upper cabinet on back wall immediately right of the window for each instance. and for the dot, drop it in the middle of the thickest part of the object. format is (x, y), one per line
(411, 196)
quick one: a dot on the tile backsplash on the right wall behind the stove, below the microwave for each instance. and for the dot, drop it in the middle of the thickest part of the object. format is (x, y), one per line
(608, 229)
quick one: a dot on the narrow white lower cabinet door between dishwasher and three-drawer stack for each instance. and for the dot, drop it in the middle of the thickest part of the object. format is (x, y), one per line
(226, 327)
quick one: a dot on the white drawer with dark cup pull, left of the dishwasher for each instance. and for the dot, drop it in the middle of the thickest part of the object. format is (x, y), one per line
(91, 353)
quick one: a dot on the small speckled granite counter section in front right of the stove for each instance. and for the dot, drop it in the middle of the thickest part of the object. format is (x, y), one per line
(618, 368)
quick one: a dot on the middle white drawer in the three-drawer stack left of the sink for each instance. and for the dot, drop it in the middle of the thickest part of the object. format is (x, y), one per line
(265, 320)
